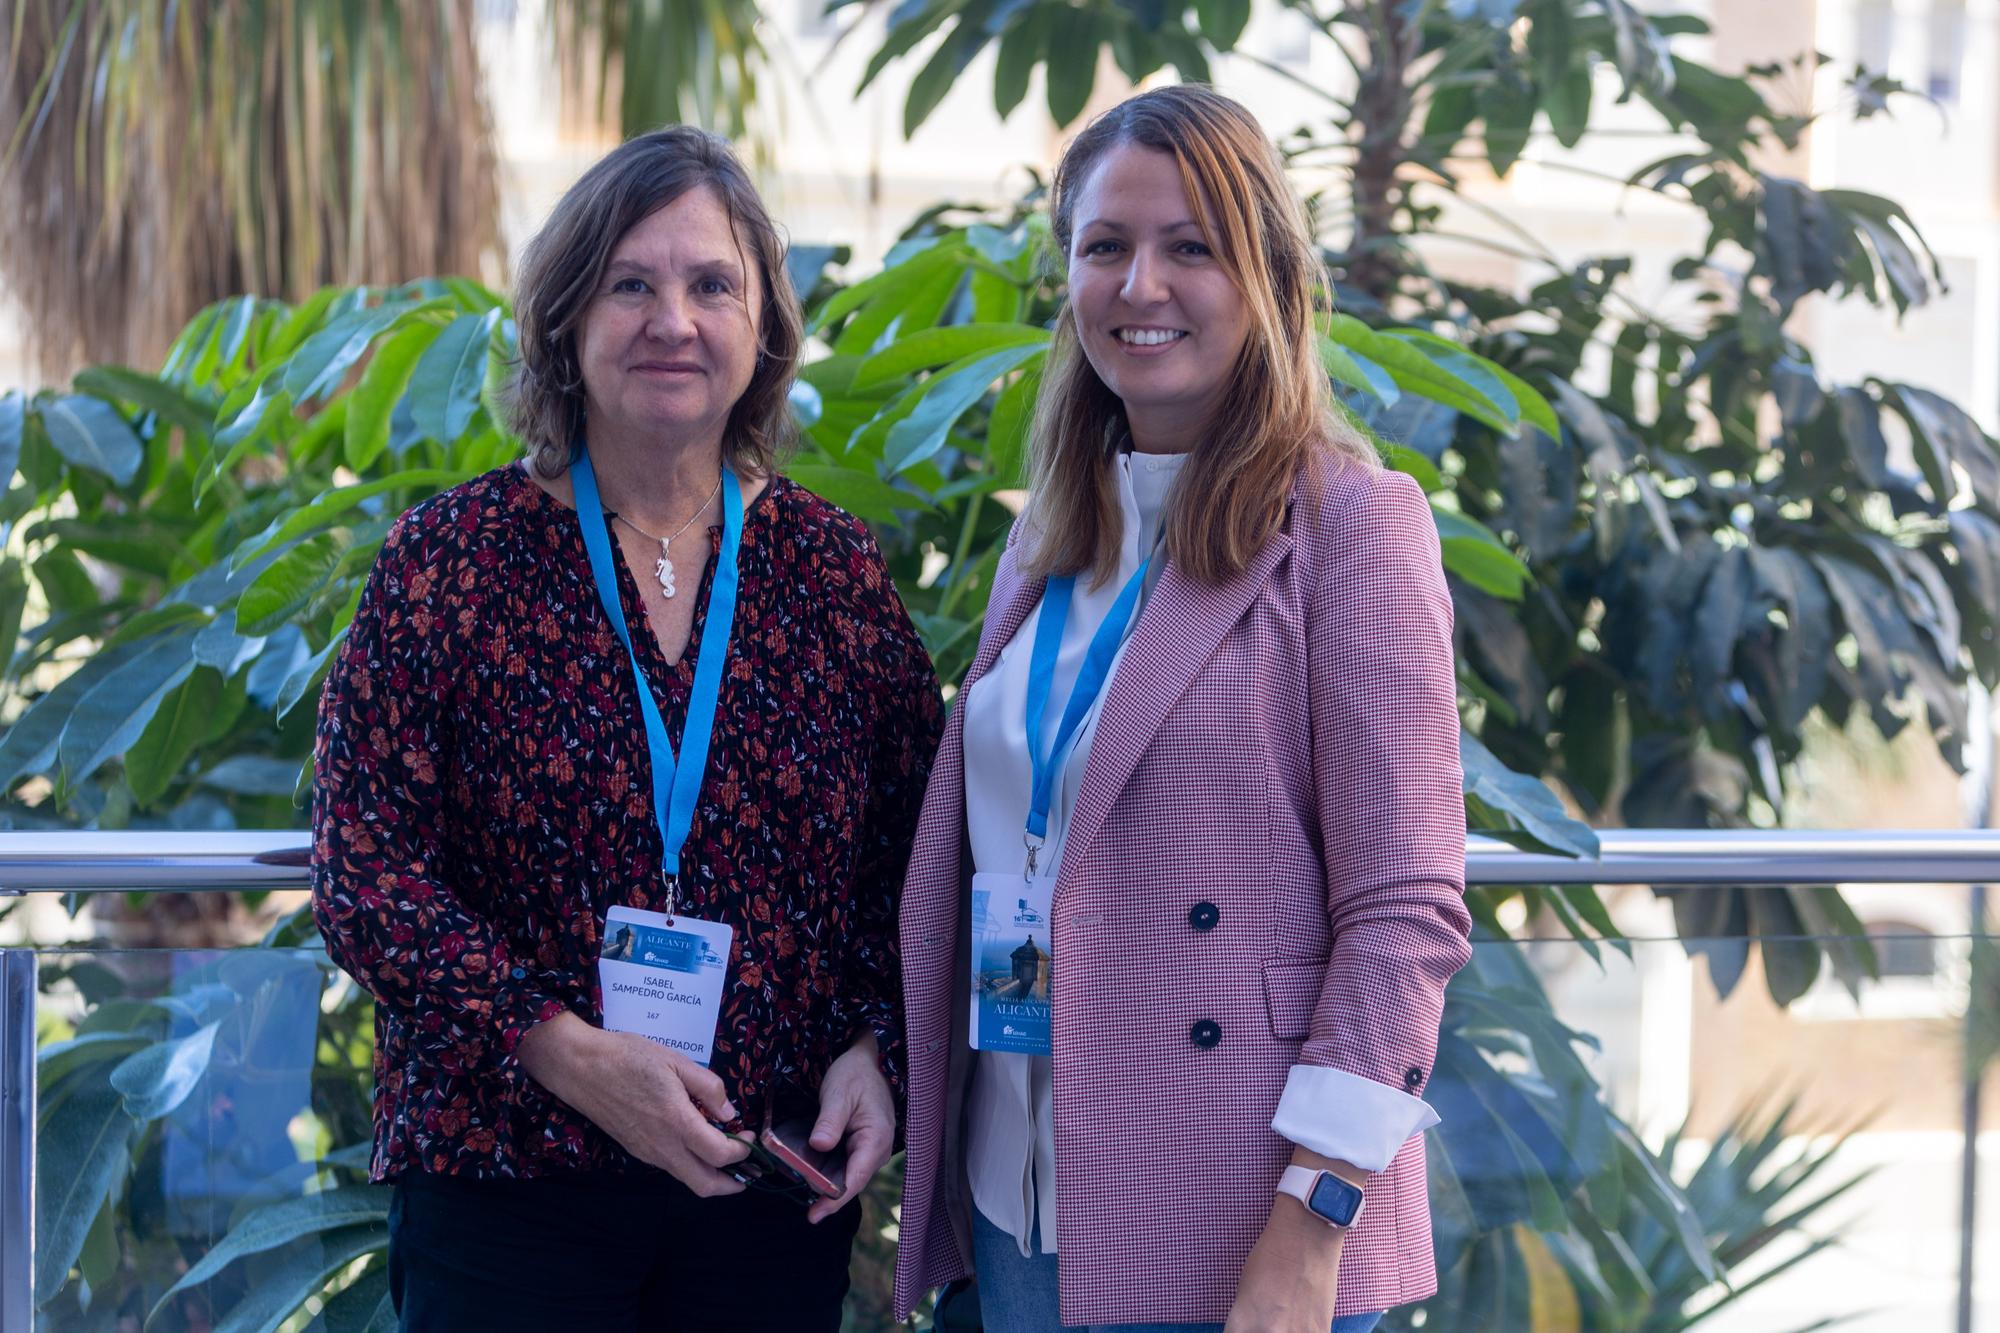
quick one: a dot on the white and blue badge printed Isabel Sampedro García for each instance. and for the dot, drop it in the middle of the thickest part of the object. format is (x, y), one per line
(663, 980)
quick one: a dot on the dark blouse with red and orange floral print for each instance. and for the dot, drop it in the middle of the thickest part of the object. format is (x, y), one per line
(483, 798)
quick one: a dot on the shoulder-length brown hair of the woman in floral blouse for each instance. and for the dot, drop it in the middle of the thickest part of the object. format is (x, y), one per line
(565, 265)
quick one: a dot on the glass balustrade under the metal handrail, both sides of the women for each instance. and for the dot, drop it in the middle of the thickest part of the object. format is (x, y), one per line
(1623, 1144)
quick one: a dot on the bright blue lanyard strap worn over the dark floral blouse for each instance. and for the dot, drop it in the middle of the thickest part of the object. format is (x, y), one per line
(675, 786)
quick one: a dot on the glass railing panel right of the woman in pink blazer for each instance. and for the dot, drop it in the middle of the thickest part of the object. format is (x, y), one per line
(1629, 1148)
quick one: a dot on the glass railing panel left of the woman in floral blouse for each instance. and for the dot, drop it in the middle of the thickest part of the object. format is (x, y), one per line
(203, 1140)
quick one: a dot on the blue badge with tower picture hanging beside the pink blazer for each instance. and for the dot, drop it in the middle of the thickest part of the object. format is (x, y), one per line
(1011, 962)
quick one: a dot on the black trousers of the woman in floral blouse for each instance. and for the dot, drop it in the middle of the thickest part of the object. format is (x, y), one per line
(611, 1256)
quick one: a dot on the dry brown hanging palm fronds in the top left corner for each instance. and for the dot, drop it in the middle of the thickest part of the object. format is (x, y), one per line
(167, 153)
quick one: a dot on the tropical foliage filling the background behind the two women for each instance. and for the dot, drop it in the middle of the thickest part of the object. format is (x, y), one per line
(1671, 545)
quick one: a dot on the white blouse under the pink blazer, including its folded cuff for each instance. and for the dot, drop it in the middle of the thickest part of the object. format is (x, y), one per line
(1011, 1134)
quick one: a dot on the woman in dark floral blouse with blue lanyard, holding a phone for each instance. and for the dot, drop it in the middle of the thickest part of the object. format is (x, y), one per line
(743, 752)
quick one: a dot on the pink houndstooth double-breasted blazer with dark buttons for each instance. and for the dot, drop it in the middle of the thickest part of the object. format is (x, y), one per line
(1283, 750)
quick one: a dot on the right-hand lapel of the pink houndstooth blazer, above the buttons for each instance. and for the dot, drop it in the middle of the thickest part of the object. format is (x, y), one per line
(1177, 633)
